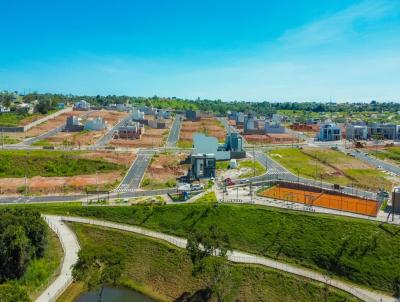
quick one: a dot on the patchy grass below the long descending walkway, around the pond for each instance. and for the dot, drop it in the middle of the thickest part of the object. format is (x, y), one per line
(164, 272)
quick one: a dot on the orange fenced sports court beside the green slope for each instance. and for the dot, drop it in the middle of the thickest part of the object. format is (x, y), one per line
(322, 199)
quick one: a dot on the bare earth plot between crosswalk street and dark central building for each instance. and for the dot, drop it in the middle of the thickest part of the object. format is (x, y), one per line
(163, 171)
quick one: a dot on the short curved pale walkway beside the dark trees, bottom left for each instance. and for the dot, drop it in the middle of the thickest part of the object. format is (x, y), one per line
(71, 248)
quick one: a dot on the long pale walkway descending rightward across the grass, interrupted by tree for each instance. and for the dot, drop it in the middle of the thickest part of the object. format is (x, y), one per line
(240, 257)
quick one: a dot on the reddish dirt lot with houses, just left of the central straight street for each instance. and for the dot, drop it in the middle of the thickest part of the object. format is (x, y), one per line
(150, 138)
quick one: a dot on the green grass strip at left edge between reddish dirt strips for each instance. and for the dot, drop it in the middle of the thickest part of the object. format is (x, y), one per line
(18, 163)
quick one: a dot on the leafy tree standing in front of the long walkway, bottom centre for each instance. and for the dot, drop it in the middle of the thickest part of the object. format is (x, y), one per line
(203, 249)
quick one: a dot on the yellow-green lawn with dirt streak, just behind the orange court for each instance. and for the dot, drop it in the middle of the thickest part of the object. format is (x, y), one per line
(331, 166)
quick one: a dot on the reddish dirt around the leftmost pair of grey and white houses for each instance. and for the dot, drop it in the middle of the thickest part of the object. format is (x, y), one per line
(85, 138)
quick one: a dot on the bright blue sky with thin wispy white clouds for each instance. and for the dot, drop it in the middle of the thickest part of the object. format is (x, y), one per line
(233, 50)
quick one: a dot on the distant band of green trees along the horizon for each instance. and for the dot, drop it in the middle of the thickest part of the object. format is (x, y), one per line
(215, 106)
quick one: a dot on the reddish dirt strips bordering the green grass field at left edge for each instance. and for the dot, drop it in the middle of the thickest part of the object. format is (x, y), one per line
(53, 185)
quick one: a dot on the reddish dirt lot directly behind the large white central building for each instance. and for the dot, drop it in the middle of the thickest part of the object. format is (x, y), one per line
(209, 126)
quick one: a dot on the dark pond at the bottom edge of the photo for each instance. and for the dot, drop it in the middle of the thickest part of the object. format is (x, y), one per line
(111, 294)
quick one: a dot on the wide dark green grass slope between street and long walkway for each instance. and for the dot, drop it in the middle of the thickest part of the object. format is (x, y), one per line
(360, 251)
